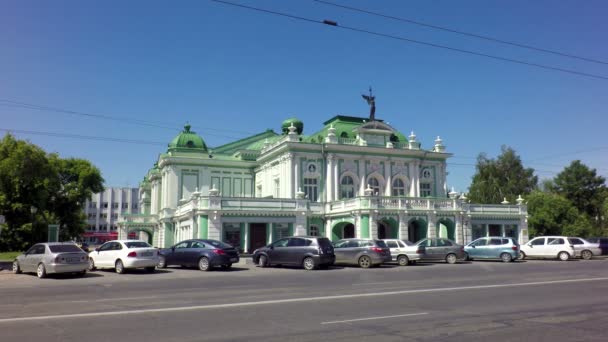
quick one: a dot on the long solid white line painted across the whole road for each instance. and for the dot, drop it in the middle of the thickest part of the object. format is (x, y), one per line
(294, 300)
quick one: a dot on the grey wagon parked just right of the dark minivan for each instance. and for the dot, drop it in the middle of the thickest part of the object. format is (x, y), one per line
(363, 252)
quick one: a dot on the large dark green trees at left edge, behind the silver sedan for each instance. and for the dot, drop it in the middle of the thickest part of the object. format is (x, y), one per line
(57, 188)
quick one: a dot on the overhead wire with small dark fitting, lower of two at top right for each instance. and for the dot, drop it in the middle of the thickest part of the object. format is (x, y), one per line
(404, 39)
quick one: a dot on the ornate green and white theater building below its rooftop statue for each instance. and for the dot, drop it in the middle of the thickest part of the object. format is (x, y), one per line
(354, 178)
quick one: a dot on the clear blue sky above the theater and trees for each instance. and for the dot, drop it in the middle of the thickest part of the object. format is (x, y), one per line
(230, 71)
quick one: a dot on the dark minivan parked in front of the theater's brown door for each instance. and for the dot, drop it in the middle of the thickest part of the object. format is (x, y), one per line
(310, 252)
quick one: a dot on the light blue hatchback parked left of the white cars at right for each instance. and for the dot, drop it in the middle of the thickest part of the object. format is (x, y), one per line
(493, 247)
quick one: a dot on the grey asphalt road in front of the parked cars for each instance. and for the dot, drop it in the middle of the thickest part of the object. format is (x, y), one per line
(478, 301)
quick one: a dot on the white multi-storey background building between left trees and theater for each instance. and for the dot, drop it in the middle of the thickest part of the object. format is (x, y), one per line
(105, 209)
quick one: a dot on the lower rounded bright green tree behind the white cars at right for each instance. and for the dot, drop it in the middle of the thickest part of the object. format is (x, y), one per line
(552, 214)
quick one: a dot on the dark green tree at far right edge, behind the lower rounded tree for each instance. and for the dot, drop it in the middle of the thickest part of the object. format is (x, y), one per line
(583, 187)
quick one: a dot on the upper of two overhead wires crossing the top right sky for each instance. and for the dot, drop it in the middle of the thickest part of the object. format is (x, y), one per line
(475, 35)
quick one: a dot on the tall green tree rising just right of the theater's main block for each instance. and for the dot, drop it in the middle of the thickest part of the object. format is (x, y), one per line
(503, 177)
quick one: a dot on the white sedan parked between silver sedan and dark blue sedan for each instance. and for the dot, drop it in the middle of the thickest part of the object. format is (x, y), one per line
(124, 254)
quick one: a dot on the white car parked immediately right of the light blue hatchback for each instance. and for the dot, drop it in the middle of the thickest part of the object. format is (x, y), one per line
(548, 247)
